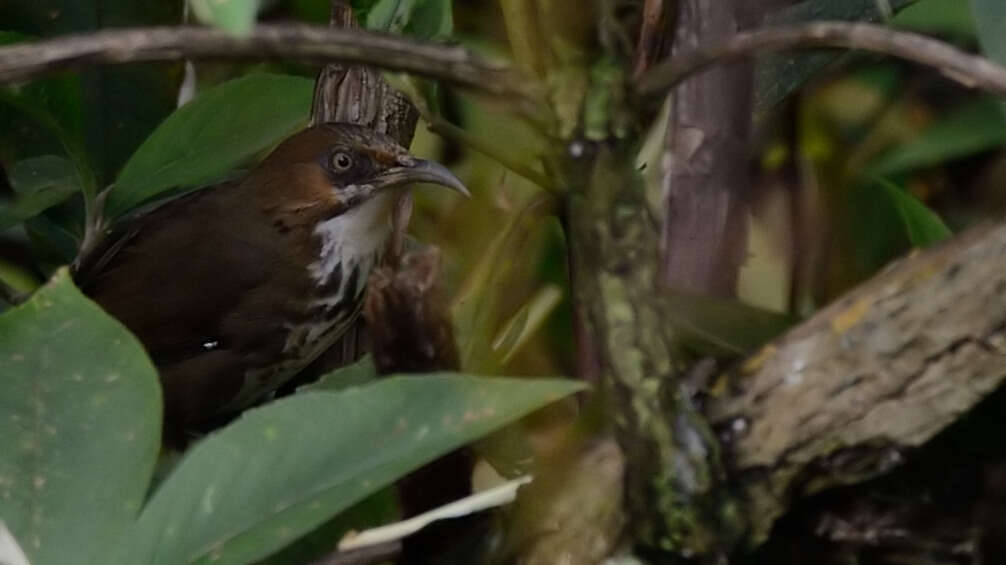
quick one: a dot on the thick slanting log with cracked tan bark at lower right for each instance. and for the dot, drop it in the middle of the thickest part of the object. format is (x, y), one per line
(846, 396)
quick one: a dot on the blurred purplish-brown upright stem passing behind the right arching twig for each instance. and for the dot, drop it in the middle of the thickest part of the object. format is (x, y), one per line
(706, 162)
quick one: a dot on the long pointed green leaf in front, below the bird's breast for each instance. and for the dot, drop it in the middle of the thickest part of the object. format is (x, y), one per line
(281, 471)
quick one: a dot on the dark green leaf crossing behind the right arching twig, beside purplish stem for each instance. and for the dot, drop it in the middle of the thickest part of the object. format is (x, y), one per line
(778, 76)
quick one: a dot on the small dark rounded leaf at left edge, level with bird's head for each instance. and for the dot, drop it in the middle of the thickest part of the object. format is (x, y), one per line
(41, 183)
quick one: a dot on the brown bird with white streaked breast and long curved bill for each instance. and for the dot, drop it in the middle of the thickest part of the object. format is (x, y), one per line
(235, 289)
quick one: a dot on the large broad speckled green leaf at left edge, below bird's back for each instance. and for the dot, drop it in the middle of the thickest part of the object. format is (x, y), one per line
(81, 426)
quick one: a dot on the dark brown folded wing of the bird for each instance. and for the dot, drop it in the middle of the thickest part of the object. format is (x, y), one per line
(175, 284)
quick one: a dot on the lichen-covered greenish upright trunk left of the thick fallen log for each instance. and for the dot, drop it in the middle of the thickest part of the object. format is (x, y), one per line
(673, 461)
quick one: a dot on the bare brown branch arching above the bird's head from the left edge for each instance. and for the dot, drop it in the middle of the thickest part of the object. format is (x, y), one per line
(293, 42)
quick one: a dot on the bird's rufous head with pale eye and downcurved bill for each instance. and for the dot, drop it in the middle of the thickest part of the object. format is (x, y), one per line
(334, 168)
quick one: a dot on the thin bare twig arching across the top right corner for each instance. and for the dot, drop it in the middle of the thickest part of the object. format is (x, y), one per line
(960, 67)
